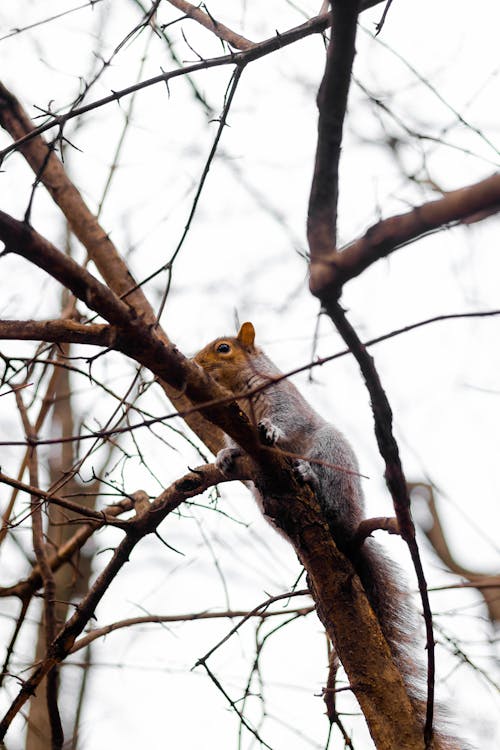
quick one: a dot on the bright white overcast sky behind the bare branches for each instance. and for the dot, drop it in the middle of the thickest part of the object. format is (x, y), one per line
(435, 67)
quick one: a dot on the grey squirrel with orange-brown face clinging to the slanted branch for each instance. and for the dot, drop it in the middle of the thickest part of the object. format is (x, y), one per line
(327, 462)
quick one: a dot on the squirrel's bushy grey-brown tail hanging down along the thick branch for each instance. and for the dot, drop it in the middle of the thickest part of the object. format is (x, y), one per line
(385, 586)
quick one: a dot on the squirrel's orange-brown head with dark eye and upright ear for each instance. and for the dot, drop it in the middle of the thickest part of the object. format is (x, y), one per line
(228, 359)
